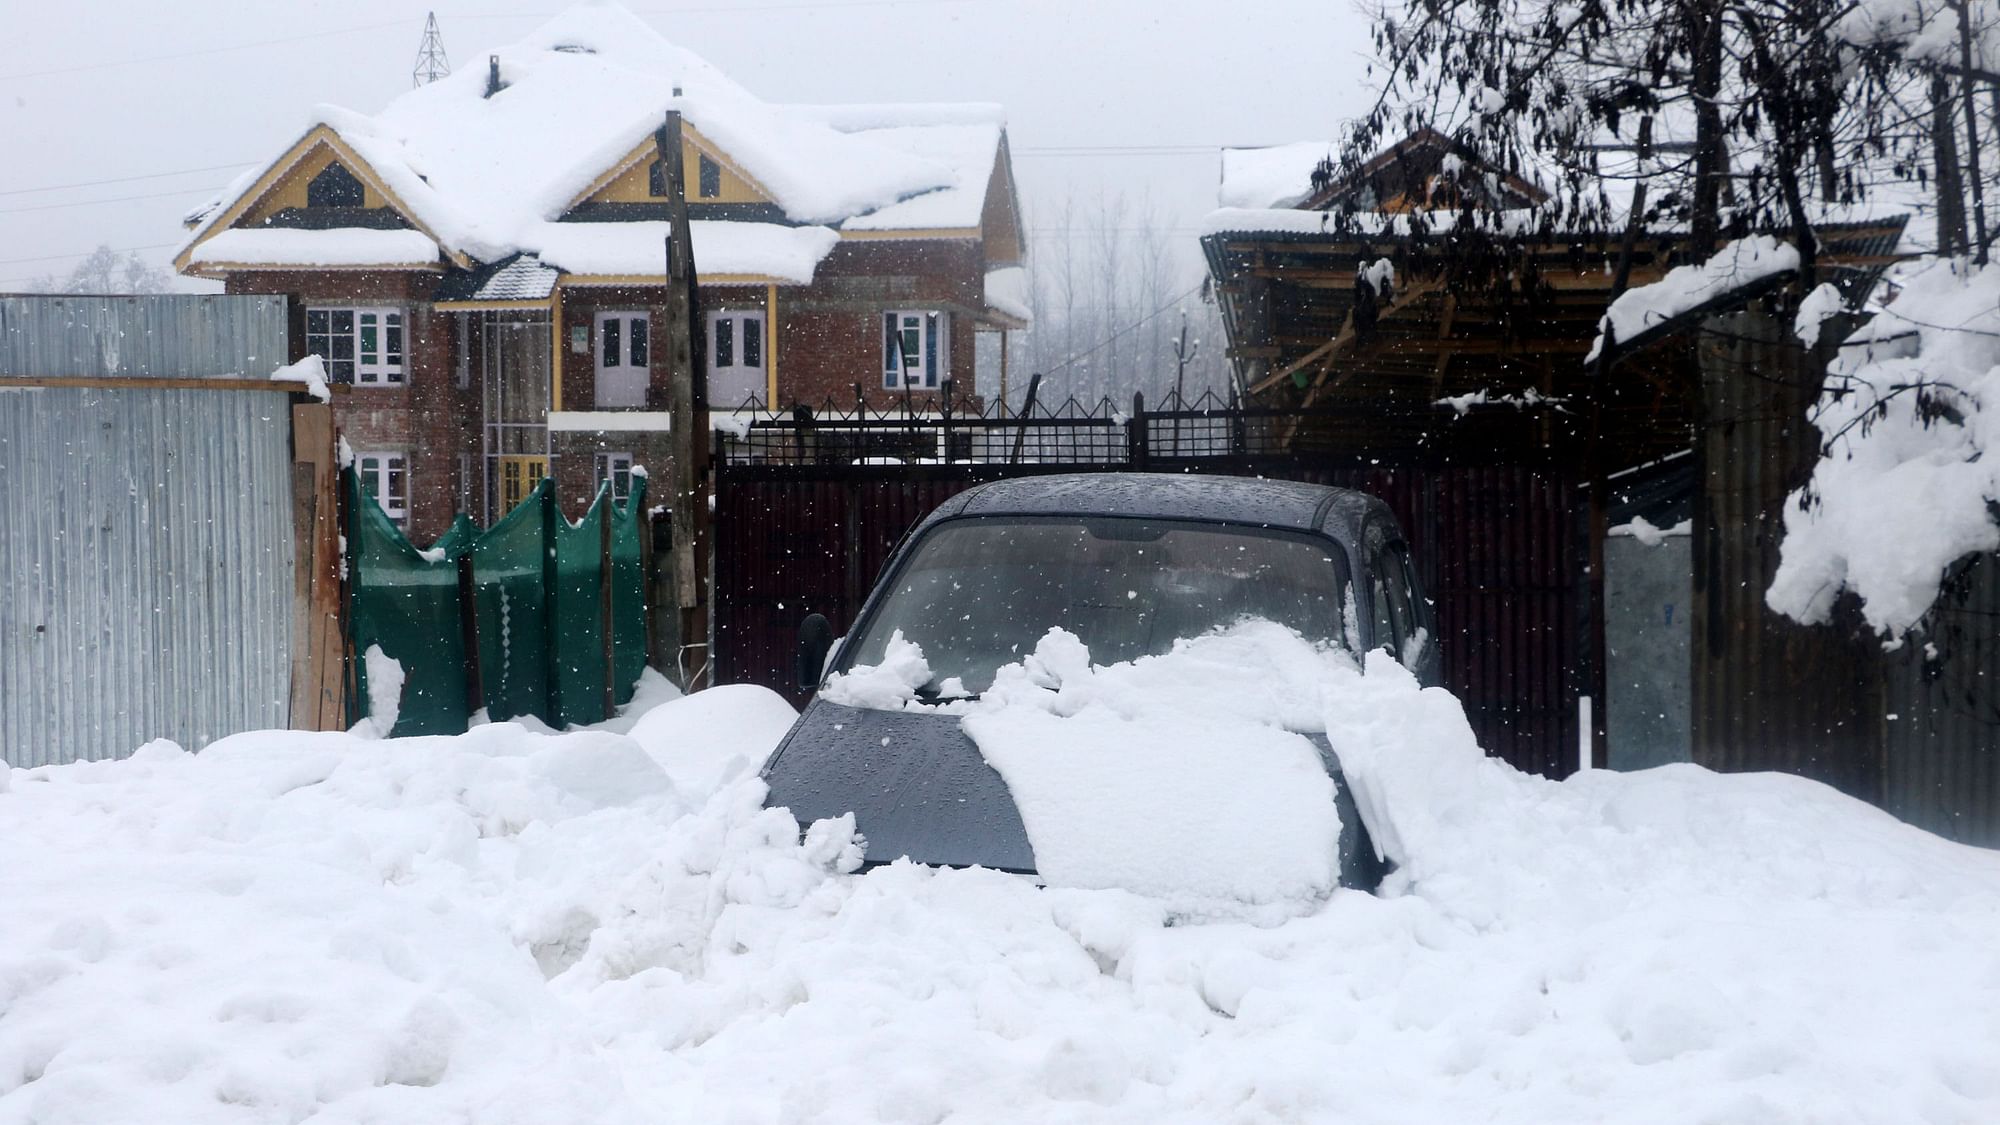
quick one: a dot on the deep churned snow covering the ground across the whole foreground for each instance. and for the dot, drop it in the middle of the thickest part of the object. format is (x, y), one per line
(519, 926)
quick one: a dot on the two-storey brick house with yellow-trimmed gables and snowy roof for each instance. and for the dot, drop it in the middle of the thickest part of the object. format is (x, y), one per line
(483, 263)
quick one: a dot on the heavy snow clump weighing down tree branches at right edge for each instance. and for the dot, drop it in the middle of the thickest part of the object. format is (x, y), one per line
(1911, 467)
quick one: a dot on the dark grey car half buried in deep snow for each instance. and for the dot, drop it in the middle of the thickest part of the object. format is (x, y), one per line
(1129, 564)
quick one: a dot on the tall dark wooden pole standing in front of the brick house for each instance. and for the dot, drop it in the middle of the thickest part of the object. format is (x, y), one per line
(687, 413)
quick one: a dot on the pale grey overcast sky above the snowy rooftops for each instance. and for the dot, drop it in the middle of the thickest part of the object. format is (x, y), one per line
(119, 115)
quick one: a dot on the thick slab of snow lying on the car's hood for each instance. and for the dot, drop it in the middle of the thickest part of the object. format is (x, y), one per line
(1171, 776)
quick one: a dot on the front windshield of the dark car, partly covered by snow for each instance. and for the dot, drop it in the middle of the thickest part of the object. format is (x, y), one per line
(981, 594)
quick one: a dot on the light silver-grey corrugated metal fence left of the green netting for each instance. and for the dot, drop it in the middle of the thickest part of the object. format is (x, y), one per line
(145, 533)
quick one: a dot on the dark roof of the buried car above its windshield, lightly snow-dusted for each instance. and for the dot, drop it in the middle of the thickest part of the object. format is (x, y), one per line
(1167, 495)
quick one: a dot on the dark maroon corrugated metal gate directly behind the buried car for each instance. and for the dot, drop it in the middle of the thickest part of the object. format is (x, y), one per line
(1499, 549)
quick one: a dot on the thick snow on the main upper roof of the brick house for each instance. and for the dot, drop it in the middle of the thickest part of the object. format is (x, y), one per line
(485, 175)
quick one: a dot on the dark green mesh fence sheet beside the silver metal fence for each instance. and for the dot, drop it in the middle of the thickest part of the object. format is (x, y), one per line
(547, 638)
